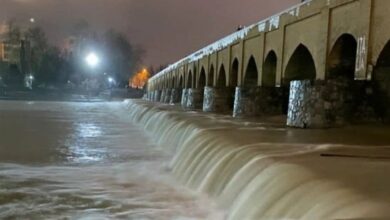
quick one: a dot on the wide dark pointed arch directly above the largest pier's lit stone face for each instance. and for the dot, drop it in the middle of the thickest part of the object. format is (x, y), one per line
(301, 65)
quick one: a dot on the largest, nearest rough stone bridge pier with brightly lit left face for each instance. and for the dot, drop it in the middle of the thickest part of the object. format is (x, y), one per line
(319, 104)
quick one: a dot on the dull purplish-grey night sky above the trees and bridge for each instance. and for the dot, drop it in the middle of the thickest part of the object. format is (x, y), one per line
(166, 29)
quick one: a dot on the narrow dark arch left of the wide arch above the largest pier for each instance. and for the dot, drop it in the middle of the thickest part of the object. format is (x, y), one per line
(269, 70)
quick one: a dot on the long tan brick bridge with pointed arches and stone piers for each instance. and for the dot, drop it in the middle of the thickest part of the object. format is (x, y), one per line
(323, 63)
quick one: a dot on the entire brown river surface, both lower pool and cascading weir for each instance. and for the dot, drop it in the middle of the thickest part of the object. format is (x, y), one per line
(95, 161)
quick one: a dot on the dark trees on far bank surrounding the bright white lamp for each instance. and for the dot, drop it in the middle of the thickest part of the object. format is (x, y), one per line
(31, 54)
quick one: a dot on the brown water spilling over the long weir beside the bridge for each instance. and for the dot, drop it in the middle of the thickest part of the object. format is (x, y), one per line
(262, 171)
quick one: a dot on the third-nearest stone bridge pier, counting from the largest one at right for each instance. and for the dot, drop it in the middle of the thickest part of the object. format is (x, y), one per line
(217, 99)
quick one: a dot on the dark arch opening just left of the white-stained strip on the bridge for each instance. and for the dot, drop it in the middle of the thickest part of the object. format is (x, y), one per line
(342, 58)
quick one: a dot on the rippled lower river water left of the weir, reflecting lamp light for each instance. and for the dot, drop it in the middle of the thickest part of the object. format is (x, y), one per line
(86, 161)
